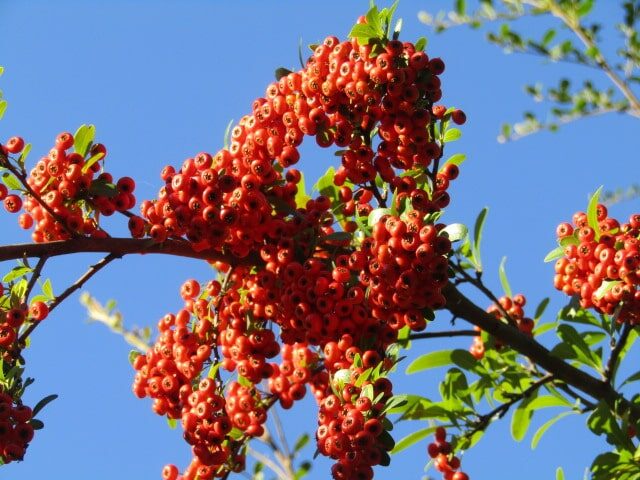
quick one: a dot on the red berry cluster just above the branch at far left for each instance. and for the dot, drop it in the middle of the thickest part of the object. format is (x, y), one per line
(66, 192)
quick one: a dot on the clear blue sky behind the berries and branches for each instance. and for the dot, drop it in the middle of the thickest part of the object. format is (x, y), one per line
(161, 80)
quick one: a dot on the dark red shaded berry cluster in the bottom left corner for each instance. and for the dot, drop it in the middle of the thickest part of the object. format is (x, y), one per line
(16, 430)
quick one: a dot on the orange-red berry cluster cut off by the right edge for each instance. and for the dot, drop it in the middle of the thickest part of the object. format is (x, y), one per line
(602, 268)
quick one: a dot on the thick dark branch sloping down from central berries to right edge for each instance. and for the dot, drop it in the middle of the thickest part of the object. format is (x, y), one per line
(462, 307)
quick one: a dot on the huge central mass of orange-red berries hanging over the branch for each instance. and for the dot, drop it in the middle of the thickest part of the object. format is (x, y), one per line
(334, 300)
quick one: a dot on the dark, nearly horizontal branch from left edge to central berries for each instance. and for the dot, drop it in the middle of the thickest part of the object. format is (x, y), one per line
(118, 246)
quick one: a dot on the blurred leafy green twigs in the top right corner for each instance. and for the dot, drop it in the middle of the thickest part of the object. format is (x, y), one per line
(567, 103)
